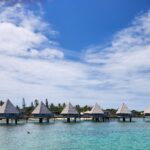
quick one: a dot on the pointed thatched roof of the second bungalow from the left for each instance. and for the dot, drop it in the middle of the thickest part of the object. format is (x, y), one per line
(41, 109)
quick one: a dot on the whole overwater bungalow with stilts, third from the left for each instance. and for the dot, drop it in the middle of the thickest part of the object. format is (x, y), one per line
(70, 112)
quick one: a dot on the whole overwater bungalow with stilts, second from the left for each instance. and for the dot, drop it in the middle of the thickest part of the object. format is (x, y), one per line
(42, 112)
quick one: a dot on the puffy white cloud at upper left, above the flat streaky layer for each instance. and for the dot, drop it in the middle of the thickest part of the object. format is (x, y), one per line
(23, 34)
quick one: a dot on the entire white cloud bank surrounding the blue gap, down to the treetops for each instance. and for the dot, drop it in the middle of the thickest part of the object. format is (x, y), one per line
(33, 66)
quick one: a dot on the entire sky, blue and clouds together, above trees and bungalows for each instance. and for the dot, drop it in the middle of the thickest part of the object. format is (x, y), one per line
(78, 51)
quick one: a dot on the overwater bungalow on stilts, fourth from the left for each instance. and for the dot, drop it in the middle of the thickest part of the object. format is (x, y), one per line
(97, 113)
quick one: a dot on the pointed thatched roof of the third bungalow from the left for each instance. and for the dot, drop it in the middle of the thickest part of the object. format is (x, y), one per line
(69, 109)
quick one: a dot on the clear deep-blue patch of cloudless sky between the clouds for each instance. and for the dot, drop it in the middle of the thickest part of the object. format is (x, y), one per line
(87, 22)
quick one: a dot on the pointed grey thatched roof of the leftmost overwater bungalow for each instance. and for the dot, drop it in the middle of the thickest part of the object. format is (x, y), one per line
(8, 108)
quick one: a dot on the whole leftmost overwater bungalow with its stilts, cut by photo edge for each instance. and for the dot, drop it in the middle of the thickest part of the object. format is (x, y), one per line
(9, 111)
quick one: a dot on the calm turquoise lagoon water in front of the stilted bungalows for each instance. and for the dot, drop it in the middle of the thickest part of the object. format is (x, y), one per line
(85, 135)
